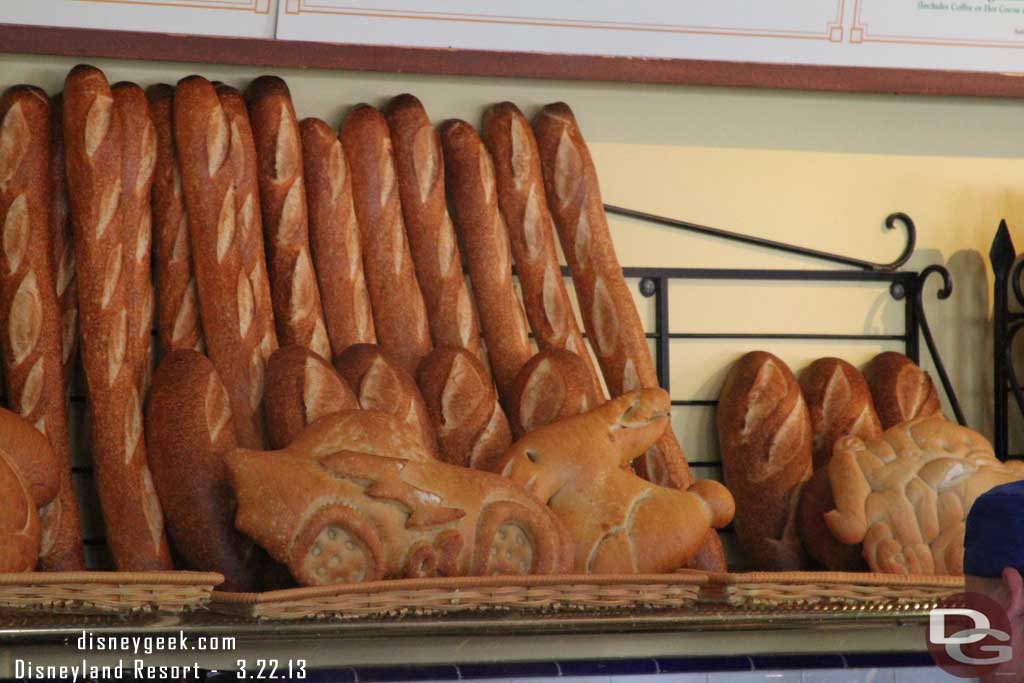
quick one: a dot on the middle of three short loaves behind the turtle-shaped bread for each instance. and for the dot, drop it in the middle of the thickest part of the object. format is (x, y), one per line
(839, 403)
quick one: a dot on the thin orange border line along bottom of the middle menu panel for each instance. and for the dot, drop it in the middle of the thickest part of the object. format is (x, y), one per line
(834, 31)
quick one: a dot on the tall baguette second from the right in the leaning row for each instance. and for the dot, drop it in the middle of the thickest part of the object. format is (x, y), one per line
(525, 206)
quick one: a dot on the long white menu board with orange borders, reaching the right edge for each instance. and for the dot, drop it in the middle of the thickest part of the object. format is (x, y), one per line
(965, 35)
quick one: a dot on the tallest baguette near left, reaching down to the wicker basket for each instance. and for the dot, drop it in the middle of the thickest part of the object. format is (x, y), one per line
(94, 142)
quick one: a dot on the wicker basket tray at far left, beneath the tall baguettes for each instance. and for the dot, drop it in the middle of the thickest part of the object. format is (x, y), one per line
(107, 592)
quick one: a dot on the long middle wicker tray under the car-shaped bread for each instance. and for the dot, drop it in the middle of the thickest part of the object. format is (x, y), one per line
(444, 596)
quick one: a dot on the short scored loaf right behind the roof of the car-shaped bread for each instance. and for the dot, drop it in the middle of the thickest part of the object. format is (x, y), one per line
(381, 385)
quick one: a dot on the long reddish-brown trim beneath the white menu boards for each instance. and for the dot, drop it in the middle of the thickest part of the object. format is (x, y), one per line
(282, 54)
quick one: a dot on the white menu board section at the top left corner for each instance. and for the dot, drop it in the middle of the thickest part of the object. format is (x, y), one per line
(241, 19)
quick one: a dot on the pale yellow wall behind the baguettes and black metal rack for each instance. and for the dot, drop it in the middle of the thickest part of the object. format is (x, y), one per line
(815, 169)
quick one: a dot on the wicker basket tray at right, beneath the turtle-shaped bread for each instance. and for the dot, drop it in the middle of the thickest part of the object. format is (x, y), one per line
(766, 589)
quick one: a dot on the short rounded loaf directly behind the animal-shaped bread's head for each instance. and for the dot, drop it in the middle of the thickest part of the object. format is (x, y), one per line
(556, 385)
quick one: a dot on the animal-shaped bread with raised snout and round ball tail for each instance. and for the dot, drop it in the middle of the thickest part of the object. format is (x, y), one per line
(620, 523)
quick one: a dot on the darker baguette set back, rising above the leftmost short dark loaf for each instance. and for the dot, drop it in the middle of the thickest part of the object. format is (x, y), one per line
(178, 306)
